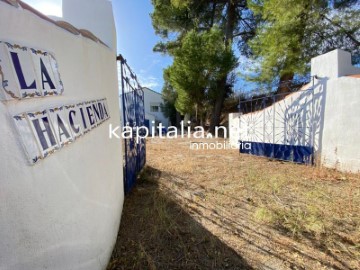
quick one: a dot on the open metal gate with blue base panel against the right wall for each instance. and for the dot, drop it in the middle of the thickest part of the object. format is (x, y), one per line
(287, 127)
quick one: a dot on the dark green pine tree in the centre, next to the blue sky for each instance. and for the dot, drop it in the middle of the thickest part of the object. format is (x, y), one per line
(179, 23)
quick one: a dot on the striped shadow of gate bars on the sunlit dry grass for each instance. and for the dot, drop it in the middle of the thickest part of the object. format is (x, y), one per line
(267, 246)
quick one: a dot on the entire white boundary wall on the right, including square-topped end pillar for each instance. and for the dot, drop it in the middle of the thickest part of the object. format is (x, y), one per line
(327, 119)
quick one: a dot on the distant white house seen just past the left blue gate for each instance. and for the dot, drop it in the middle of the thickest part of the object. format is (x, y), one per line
(153, 109)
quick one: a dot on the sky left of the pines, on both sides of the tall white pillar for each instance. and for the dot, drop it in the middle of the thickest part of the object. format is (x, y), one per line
(135, 37)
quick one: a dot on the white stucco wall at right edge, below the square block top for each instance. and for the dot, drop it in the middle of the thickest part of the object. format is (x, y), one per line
(341, 144)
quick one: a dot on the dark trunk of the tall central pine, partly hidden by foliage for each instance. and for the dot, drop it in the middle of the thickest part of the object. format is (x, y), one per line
(229, 31)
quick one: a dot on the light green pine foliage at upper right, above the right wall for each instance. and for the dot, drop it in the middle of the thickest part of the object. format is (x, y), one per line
(291, 32)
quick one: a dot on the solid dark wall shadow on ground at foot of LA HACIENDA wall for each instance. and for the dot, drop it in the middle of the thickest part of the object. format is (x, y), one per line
(156, 233)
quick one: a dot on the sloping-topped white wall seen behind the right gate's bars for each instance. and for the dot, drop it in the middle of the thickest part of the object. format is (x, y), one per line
(286, 122)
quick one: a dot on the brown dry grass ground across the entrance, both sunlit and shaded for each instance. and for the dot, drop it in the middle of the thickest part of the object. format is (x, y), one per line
(217, 209)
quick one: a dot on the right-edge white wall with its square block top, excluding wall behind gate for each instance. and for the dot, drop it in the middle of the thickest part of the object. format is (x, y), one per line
(341, 130)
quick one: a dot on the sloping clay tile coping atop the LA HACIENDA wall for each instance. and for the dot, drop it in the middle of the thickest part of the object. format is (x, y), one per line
(62, 24)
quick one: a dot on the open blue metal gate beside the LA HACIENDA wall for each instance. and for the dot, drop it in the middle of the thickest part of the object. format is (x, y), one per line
(133, 114)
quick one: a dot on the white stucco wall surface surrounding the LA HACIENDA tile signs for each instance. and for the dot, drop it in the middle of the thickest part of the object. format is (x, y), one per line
(64, 212)
